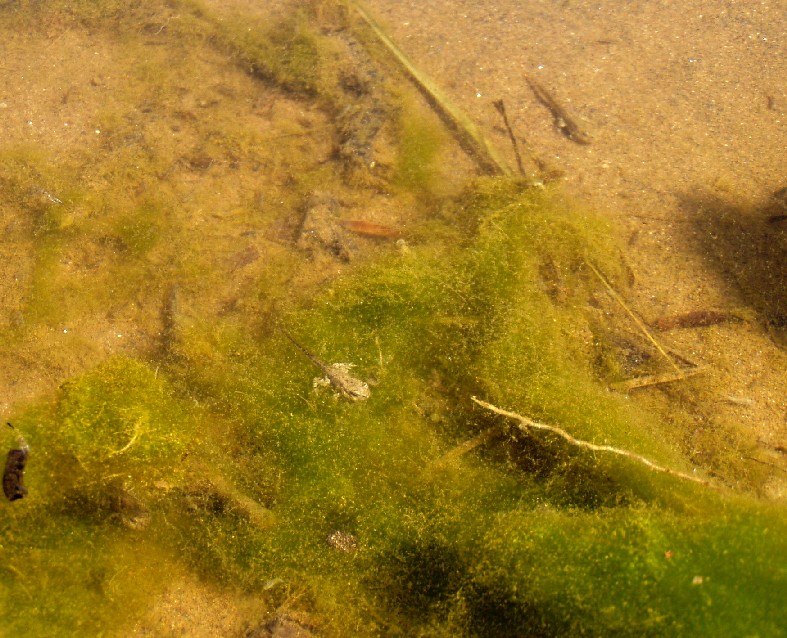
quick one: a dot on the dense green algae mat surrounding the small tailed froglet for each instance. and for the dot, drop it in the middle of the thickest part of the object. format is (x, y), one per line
(524, 534)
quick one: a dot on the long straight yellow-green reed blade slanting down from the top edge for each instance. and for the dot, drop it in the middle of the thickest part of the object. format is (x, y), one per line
(469, 134)
